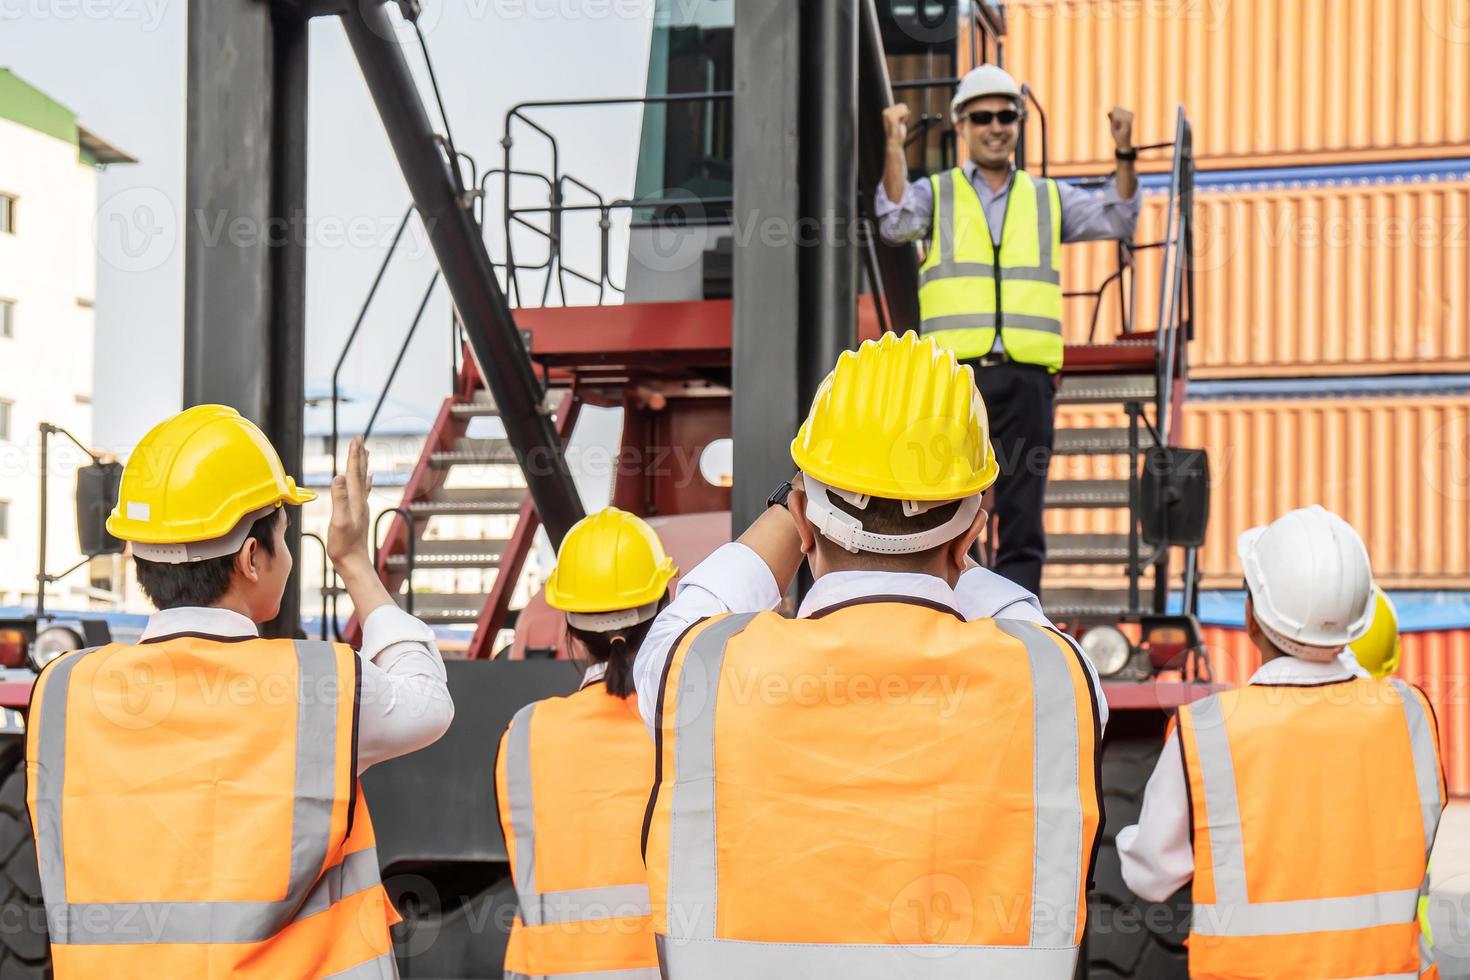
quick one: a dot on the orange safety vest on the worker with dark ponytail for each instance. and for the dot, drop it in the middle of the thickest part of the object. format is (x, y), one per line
(573, 782)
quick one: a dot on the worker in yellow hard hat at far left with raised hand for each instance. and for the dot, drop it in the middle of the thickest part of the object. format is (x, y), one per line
(195, 796)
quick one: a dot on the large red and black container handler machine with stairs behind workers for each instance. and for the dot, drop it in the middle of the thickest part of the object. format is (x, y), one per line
(756, 111)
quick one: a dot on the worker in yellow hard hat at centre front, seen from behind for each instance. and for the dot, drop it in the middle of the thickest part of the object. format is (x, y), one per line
(893, 784)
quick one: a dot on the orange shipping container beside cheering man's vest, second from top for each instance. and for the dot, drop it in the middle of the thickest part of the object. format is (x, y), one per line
(1346, 275)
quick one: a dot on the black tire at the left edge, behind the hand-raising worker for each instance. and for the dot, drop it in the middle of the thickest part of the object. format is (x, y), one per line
(26, 951)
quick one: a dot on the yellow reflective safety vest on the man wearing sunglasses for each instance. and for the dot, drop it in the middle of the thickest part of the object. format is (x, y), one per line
(967, 293)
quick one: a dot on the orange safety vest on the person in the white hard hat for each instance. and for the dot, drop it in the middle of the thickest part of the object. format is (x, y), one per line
(1313, 810)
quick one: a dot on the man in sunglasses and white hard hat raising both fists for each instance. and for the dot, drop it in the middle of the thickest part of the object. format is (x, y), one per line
(990, 286)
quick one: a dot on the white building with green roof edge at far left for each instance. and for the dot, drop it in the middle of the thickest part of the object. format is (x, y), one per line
(48, 277)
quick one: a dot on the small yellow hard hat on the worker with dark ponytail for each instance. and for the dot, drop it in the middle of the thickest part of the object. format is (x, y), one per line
(611, 572)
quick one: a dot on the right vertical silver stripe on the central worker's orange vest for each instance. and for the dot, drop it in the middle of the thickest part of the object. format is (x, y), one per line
(1056, 884)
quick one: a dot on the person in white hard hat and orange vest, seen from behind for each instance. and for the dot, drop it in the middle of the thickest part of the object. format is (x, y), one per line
(1303, 806)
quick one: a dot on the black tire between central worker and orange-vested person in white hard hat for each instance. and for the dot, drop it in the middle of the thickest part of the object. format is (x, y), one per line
(1130, 938)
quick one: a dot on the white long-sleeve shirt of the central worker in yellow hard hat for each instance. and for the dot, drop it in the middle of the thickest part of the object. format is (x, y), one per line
(736, 580)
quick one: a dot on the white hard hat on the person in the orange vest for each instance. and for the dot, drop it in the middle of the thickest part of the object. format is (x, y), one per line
(1312, 588)
